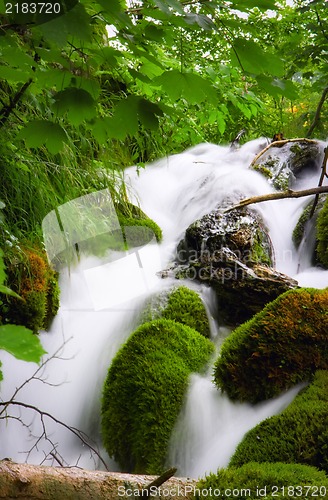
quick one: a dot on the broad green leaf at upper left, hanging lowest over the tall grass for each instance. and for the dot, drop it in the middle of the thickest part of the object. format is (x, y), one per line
(43, 132)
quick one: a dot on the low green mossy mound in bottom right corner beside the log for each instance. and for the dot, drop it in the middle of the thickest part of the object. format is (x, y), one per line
(265, 480)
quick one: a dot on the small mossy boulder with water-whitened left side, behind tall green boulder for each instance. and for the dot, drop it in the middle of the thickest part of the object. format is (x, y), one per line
(180, 304)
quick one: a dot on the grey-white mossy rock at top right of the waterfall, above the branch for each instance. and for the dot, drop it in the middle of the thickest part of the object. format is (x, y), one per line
(282, 165)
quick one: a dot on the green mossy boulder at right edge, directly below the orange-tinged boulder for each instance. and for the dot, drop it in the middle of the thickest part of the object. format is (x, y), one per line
(298, 435)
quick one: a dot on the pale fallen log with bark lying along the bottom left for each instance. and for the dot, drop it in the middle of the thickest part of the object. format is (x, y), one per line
(35, 482)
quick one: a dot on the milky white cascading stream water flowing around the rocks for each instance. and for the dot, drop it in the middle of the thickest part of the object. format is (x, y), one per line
(99, 305)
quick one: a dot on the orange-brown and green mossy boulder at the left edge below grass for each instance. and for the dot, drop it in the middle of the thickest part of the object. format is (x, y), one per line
(31, 277)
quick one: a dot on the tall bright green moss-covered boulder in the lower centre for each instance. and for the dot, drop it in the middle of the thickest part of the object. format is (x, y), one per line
(144, 391)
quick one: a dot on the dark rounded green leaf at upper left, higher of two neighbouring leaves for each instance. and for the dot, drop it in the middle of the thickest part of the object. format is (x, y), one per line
(77, 103)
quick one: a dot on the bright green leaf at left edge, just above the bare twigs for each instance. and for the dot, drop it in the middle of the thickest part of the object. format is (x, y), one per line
(21, 343)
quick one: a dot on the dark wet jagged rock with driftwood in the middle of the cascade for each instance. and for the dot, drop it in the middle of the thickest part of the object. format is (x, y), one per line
(232, 253)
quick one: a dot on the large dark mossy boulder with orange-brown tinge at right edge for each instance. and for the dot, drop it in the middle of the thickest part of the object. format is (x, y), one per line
(282, 345)
